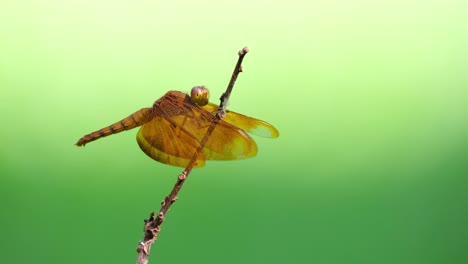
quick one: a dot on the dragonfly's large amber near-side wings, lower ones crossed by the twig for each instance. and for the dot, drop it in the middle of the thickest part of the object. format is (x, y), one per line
(175, 132)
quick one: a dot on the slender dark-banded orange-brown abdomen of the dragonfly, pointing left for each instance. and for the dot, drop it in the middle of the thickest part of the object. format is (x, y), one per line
(134, 120)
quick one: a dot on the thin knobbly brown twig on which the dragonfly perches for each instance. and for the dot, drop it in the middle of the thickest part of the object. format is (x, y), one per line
(153, 223)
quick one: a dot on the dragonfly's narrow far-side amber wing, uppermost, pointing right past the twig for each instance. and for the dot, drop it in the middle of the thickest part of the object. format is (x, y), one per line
(246, 123)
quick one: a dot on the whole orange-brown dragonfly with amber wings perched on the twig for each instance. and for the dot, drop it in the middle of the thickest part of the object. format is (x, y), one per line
(172, 129)
